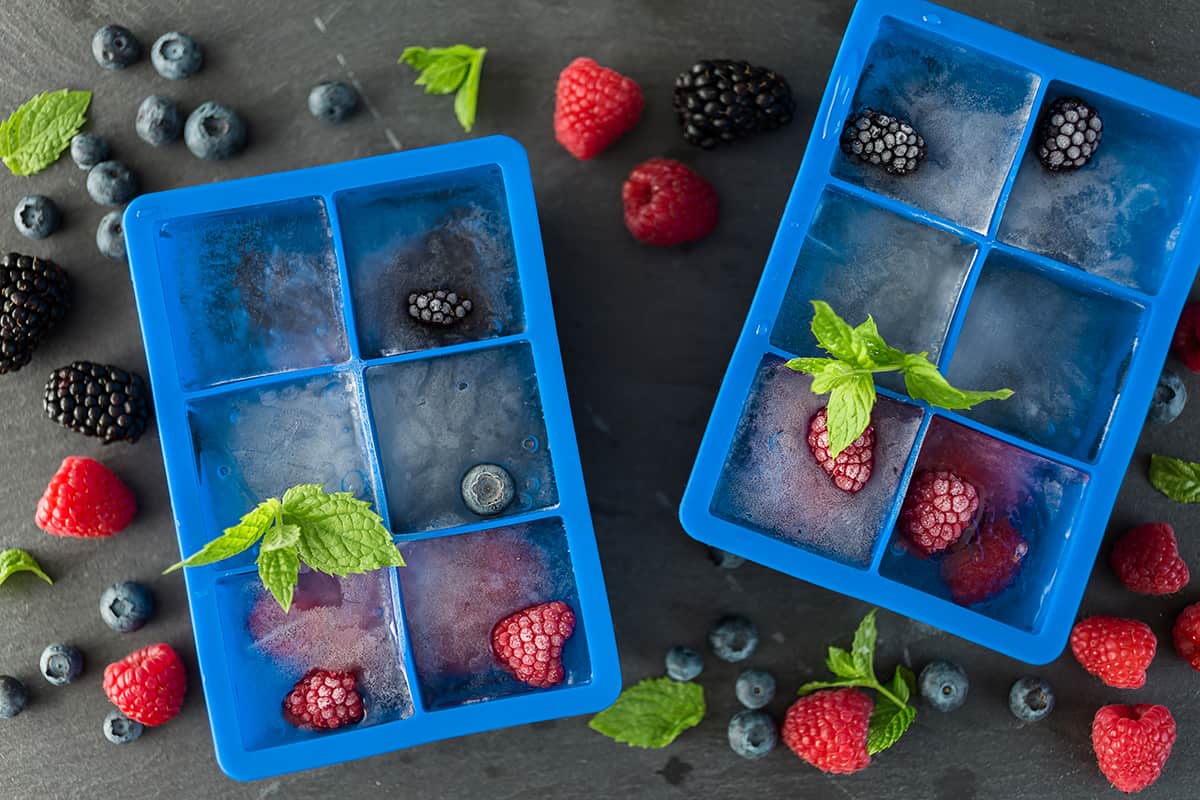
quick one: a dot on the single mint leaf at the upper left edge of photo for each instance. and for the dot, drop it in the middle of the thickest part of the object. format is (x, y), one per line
(41, 129)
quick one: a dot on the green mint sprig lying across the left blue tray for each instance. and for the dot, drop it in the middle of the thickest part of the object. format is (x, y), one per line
(332, 533)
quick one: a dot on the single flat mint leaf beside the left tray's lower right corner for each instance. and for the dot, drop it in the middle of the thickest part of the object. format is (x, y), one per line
(652, 713)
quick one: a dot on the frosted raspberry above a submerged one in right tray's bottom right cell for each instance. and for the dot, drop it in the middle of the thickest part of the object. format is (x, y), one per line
(938, 509)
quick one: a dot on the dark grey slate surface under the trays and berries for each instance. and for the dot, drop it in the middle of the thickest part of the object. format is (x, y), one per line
(641, 386)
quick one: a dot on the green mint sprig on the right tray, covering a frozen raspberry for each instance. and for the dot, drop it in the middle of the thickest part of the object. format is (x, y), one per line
(848, 377)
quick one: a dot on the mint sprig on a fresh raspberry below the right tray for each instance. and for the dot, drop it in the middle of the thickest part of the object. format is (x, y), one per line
(857, 669)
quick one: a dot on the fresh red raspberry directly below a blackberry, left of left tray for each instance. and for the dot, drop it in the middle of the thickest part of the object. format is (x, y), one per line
(86, 498)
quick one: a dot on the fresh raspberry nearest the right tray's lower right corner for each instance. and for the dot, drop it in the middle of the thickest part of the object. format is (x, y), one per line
(1115, 651)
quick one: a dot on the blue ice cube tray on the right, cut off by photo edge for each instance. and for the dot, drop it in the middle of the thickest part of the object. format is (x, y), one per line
(1064, 287)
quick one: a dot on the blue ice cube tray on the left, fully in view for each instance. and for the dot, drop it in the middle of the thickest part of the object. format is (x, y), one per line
(280, 304)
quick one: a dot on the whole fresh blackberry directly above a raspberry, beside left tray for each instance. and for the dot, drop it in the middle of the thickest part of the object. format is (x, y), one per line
(99, 401)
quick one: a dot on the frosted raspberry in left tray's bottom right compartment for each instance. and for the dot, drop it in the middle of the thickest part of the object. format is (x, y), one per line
(530, 643)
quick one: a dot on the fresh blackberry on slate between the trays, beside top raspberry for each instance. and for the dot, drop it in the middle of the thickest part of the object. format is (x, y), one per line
(724, 101)
